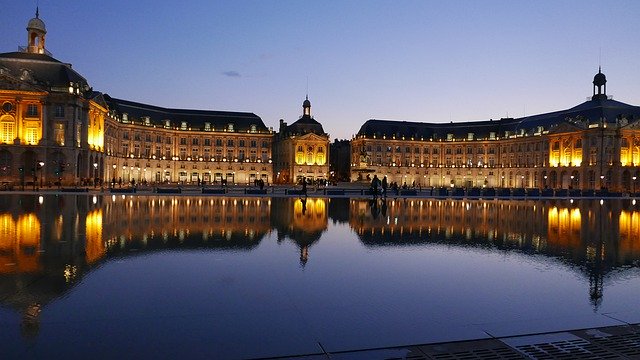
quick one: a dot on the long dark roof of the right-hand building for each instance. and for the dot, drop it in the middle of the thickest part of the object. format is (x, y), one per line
(592, 111)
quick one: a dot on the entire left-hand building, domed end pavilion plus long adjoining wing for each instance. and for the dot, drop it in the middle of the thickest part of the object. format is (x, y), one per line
(54, 129)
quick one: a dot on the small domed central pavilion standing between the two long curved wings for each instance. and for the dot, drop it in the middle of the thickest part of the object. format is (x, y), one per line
(301, 150)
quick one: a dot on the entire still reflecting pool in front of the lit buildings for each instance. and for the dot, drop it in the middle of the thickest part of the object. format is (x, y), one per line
(225, 277)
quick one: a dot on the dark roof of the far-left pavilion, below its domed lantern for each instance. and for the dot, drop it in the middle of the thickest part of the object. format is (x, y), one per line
(42, 70)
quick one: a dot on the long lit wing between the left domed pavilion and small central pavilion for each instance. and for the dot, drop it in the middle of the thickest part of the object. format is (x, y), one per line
(147, 143)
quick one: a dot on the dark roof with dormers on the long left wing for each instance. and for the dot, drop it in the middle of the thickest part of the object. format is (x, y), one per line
(196, 119)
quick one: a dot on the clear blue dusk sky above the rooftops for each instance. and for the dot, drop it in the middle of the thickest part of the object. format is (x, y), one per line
(431, 61)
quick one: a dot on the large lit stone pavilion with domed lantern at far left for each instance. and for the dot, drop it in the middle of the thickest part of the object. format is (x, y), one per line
(51, 122)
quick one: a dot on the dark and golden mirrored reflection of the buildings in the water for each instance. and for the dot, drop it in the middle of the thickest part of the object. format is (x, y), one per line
(58, 239)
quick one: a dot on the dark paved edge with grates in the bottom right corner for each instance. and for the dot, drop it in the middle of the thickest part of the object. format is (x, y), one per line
(616, 342)
